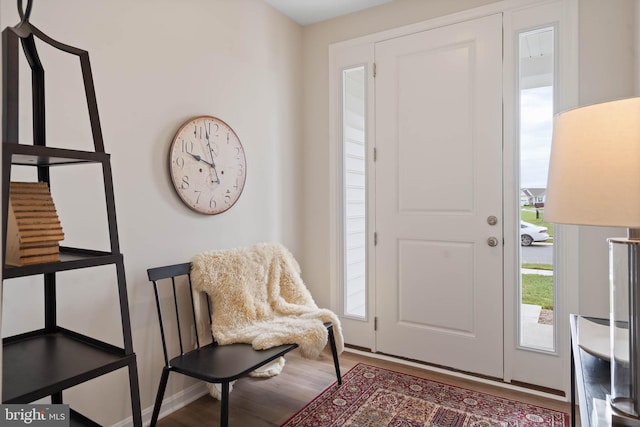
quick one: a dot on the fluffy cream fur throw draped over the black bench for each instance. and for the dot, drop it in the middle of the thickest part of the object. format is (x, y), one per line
(259, 298)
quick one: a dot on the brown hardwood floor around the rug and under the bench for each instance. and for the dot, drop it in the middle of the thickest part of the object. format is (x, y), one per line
(258, 402)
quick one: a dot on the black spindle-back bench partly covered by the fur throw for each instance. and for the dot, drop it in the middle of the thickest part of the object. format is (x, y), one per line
(213, 363)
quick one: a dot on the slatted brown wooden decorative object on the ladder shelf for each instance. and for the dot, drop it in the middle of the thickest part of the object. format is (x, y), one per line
(33, 228)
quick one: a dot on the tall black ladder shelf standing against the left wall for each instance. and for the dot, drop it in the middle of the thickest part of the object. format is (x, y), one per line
(42, 363)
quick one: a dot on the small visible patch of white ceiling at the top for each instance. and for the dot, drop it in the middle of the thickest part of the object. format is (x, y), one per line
(307, 12)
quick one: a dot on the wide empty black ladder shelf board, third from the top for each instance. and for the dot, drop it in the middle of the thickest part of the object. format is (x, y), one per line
(38, 364)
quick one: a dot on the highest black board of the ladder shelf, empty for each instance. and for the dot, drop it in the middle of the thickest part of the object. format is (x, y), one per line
(35, 155)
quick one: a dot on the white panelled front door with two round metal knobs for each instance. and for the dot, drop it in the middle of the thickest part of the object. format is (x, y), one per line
(438, 124)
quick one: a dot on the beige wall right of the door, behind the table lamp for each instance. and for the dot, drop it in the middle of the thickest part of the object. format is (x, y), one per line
(607, 71)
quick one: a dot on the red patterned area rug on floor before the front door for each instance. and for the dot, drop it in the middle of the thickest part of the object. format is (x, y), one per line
(376, 397)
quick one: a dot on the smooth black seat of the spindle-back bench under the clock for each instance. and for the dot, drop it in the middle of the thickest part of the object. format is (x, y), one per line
(223, 363)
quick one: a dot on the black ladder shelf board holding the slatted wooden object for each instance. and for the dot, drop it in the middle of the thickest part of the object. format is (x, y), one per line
(70, 259)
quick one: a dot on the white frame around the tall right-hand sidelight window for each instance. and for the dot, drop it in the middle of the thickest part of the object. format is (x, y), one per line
(563, 14)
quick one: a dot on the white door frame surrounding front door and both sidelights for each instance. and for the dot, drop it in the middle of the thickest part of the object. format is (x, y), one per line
(565, 251)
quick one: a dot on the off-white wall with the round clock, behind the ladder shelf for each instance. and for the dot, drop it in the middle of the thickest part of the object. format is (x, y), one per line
(155, 64)
